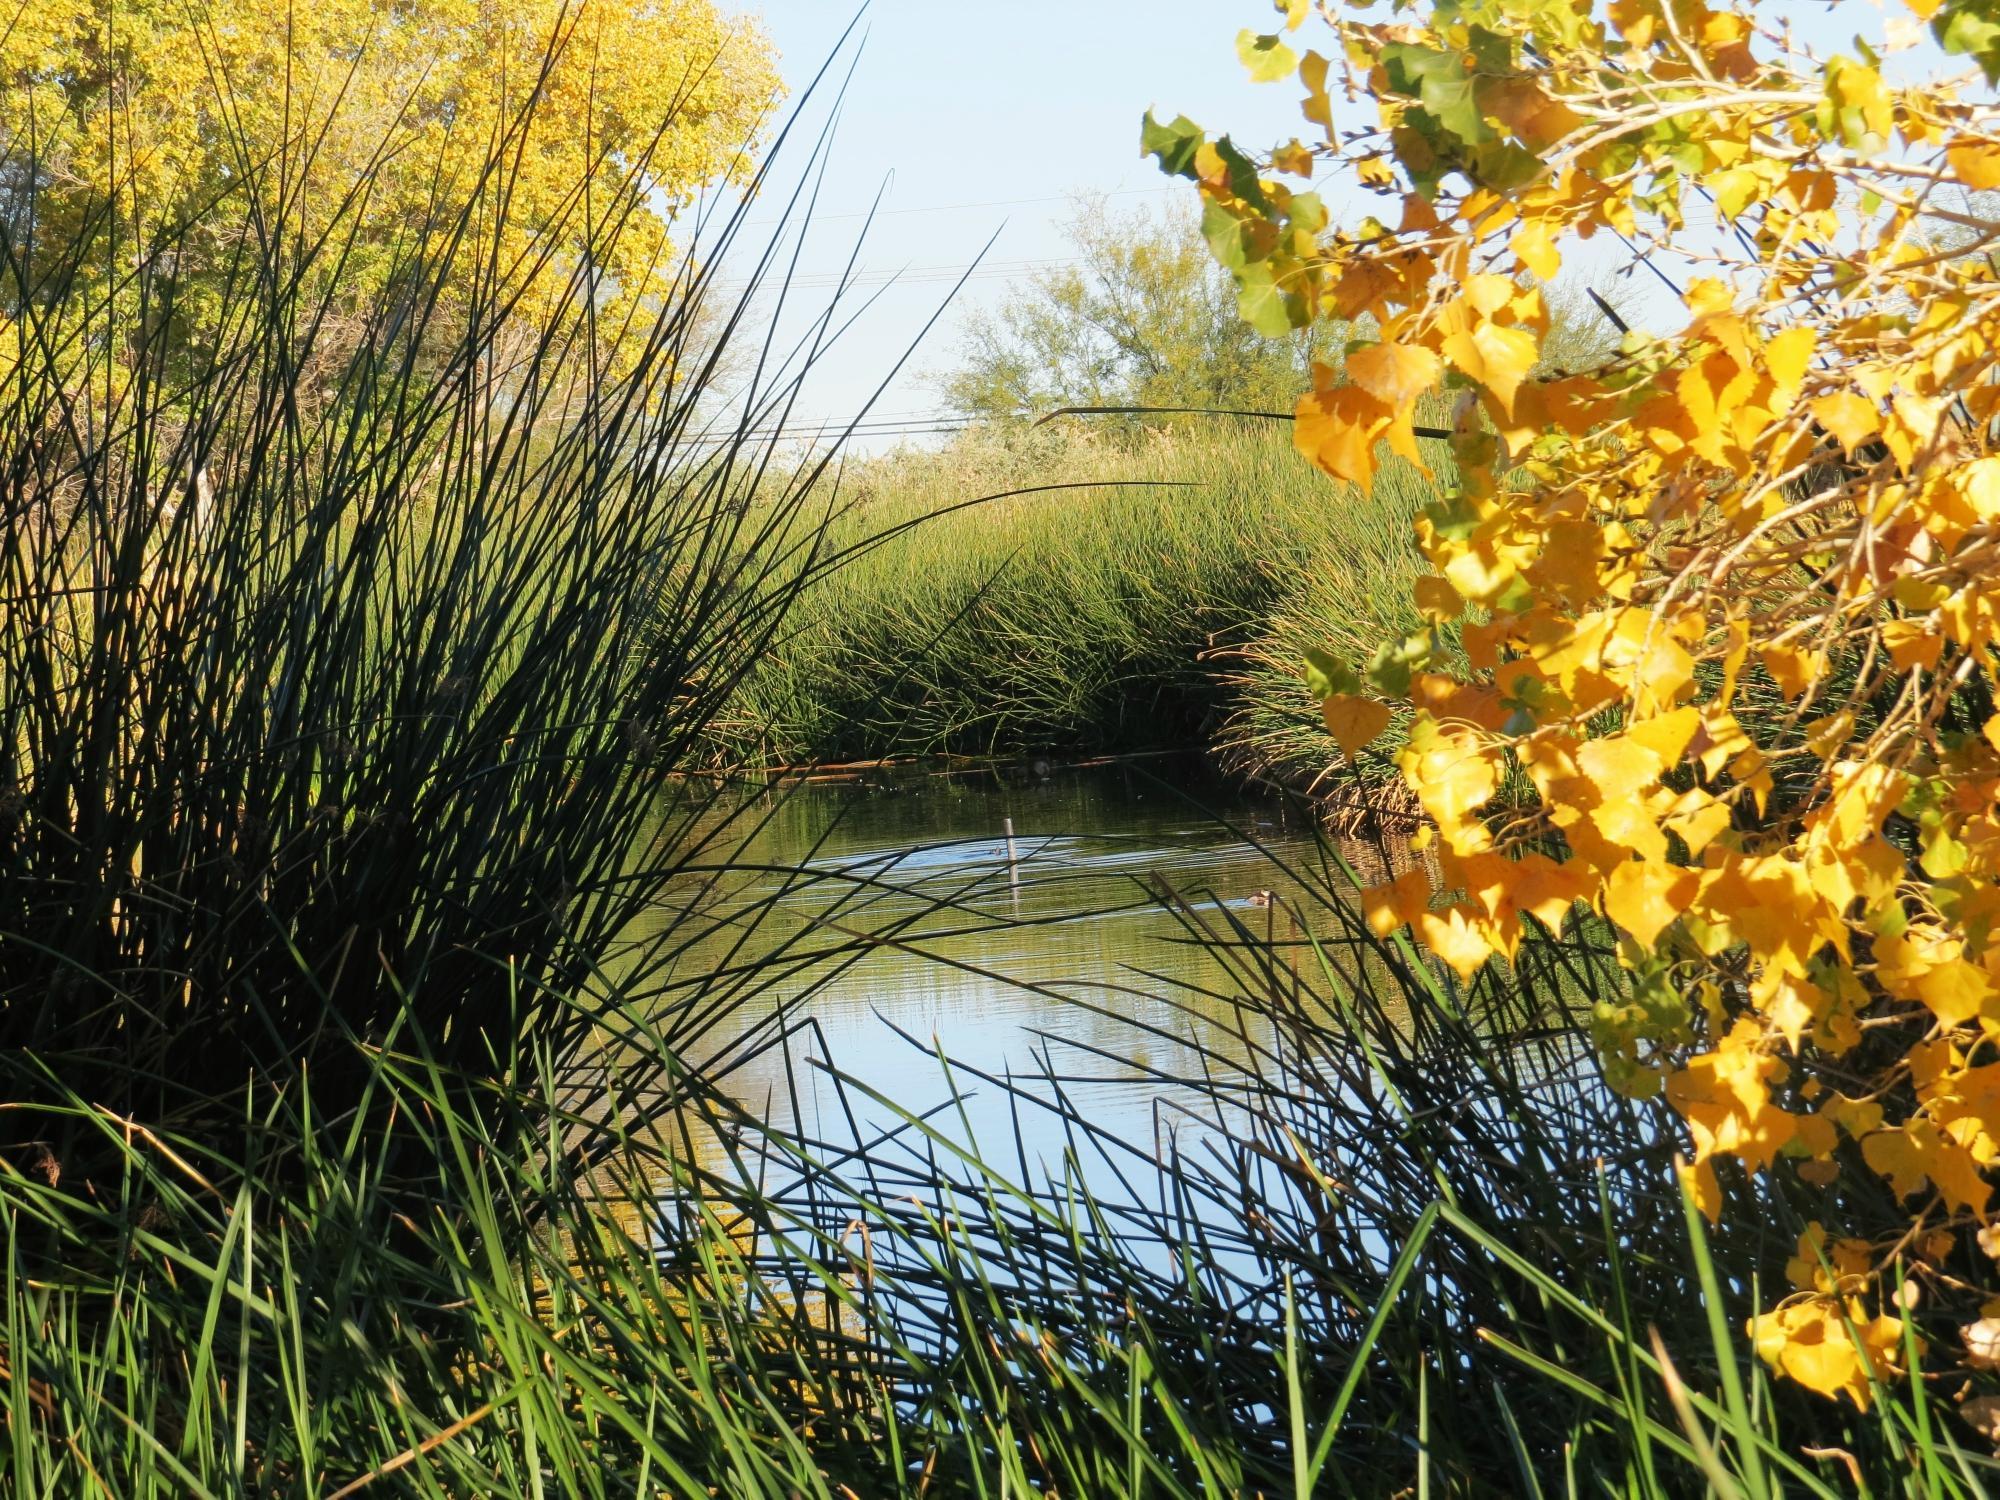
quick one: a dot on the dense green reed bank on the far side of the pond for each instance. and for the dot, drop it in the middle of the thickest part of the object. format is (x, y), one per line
(1133, 593)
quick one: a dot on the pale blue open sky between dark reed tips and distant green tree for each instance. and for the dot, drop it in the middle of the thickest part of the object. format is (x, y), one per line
(981, 119)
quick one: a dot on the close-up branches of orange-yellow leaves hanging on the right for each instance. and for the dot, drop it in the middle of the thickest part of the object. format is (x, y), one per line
(1735, 593)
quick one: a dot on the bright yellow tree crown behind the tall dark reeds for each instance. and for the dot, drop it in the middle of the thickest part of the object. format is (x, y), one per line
(379, 127)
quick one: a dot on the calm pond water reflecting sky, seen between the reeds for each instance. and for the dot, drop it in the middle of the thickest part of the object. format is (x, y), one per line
(903, 931)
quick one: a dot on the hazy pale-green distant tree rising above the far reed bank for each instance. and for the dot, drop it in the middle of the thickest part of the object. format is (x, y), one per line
(1143, 317)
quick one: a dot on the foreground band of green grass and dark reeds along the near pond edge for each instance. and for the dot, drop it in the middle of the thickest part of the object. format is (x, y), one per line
(1405, 1243)
